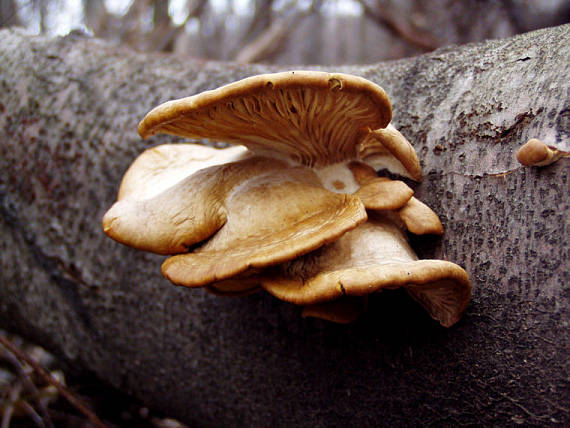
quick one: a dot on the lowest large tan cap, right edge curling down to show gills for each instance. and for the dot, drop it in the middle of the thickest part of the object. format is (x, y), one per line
(370, 258)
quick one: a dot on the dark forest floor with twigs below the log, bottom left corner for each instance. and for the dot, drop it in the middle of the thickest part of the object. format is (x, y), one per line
(30, 399)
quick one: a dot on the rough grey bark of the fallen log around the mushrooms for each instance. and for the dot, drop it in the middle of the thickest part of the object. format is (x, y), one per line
(68, 114)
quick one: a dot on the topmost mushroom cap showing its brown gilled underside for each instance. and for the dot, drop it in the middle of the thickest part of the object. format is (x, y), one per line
(311, 117)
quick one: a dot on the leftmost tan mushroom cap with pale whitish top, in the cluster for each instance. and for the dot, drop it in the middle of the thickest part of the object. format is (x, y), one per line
(164, 212)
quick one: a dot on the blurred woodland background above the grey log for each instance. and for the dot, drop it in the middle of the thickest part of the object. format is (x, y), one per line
(288, 31)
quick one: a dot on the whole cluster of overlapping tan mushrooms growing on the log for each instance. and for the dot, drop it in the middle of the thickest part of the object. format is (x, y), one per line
(296, 207)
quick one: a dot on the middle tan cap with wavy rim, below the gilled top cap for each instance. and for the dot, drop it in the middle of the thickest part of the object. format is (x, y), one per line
(271, 219)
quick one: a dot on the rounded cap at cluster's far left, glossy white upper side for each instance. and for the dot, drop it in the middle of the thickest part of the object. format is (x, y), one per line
(151, 212)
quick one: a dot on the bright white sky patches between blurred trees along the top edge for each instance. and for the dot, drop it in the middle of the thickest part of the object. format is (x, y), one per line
(66, 15)
